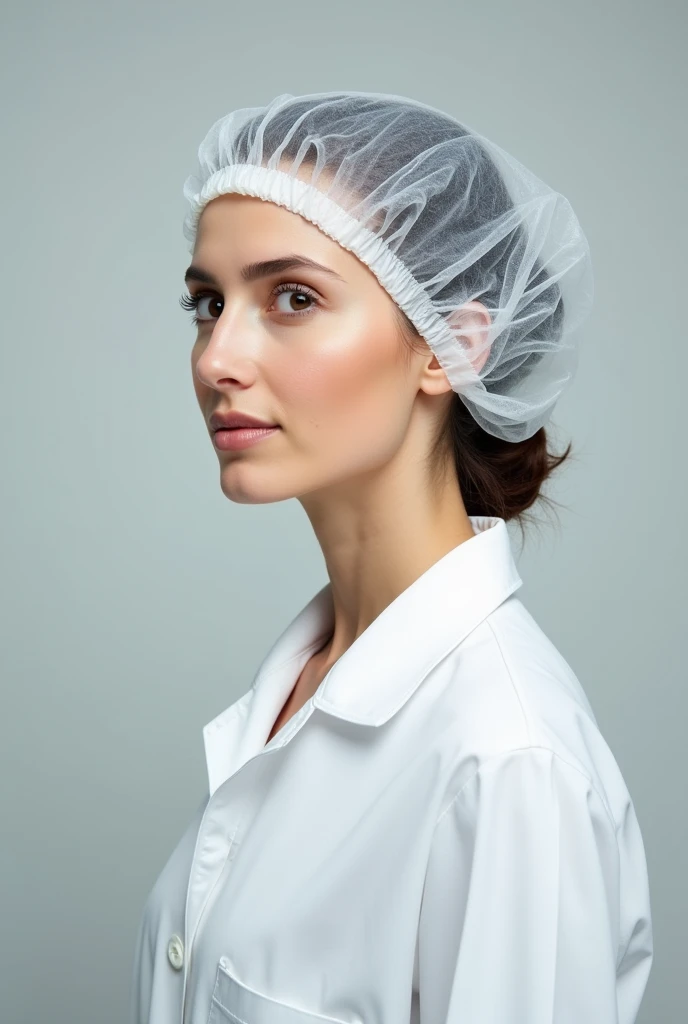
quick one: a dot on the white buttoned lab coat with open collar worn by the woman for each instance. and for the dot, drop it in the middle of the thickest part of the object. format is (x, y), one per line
(441, 835)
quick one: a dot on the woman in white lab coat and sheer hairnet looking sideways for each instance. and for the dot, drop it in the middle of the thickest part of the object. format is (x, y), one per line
(412, 814)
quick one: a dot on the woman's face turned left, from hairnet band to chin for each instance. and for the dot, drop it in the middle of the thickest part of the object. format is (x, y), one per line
(317, 352)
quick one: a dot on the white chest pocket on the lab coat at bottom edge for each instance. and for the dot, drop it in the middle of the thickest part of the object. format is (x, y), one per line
(233, 1003)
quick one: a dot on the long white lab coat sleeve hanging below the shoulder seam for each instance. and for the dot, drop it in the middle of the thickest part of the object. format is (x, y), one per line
(521, 912)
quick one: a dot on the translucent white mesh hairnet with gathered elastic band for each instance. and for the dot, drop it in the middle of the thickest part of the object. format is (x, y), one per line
(442, 217)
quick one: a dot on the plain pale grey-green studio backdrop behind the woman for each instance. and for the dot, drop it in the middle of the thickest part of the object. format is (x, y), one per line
(138, 602)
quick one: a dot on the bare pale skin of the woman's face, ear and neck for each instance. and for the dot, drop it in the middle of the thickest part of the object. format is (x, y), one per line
(358, 413)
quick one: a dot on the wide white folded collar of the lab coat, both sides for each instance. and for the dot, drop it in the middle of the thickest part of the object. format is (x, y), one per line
(388, 662)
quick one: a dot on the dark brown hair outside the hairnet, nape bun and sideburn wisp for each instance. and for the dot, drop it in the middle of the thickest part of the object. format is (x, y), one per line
(497, 478)
